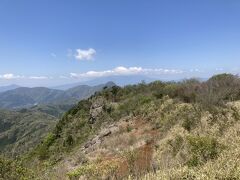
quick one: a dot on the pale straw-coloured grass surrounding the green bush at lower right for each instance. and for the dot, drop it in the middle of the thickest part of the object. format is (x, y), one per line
(225, 166)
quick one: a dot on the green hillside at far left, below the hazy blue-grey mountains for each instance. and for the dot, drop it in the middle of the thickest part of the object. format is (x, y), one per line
(20, 131)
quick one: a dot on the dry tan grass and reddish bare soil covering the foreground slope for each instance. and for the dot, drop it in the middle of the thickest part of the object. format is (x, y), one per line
(139, 152)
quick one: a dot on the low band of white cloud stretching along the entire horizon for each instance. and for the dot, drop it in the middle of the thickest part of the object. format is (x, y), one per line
(117, 71)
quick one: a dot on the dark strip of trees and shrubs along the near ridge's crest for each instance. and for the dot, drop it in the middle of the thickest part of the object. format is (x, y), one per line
(216, 91)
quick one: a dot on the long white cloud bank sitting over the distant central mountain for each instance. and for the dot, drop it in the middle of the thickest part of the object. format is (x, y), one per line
(125, 71)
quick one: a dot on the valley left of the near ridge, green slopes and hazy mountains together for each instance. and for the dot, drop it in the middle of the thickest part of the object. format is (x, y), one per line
(23, 124)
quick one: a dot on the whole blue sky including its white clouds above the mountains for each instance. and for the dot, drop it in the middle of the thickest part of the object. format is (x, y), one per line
(50, 42)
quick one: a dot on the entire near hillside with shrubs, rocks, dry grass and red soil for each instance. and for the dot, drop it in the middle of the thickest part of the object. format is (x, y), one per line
(161, 130)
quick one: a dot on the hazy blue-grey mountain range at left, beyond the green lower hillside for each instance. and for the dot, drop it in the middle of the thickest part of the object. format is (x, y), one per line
(24, 97)
